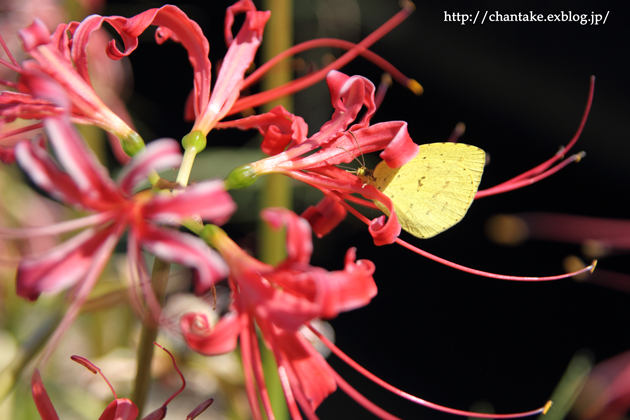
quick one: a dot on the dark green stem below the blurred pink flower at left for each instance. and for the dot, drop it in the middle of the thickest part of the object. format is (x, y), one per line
(159, 281)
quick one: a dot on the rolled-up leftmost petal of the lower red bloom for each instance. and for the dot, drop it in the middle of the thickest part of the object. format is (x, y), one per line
(204, 339)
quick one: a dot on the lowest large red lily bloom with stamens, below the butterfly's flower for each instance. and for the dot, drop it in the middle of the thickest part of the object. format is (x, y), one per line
(281, 301)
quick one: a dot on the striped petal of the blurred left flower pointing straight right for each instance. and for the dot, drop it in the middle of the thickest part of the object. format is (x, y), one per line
(207, 199)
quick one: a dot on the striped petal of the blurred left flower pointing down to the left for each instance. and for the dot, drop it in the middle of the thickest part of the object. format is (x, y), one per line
(63, 266)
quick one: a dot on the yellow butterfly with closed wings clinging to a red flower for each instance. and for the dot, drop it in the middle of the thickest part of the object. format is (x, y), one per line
(434, 190)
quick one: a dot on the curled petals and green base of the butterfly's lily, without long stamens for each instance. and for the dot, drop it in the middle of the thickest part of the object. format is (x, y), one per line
(339, 141)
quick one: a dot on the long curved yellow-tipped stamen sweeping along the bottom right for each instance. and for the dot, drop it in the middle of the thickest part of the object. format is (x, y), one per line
(413, 398)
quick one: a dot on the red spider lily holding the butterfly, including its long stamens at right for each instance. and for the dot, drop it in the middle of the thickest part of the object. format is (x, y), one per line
(312, 160)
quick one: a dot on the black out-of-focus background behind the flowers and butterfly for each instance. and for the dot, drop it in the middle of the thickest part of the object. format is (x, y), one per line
(446, 336)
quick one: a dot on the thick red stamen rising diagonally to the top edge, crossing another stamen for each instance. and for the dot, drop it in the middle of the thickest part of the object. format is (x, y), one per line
(304, 82)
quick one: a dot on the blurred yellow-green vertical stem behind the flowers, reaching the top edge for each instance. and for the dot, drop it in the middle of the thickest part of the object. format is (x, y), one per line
(277, 188)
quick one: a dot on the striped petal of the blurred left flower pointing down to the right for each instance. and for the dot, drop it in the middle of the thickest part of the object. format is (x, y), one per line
(184, 249)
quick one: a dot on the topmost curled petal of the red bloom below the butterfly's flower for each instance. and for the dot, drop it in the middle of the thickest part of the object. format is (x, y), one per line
(299, 243)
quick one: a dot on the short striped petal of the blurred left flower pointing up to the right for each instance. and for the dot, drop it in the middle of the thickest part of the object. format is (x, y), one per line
(158, 155)
